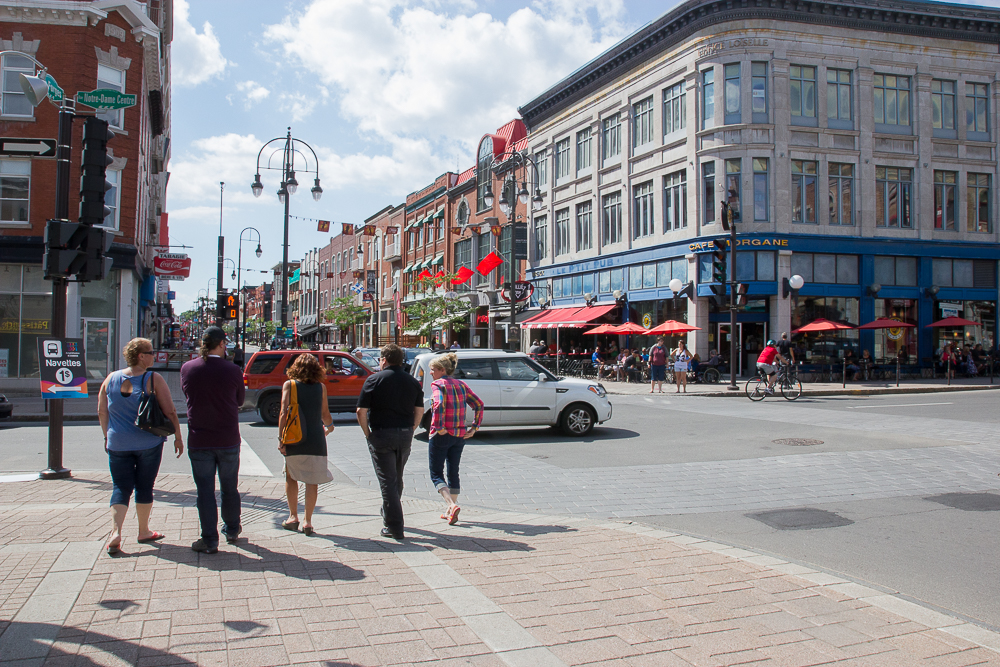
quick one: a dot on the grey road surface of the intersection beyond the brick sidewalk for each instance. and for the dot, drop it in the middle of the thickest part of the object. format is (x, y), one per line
(878, 471)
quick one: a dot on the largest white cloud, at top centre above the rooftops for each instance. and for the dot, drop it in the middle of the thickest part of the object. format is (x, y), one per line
(402, 70)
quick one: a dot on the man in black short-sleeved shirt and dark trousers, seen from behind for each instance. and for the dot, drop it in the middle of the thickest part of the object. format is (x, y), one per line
(389, 410)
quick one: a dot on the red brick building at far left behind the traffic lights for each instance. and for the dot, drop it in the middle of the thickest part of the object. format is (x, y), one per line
(85, 46)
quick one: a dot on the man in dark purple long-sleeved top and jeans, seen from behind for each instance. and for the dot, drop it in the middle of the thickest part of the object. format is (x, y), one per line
(214, 391)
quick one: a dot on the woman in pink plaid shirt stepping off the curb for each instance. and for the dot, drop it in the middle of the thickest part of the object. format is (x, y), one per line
(448, 433)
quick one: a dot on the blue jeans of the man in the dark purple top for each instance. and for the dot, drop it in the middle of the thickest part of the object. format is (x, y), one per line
(204, 465)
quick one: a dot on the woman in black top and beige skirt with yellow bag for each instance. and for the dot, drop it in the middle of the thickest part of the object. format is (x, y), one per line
(305, 461)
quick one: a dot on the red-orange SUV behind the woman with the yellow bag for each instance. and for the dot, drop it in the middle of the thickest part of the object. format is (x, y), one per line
(265, 374)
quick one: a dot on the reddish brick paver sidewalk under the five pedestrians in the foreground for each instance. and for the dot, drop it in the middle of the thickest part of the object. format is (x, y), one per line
(497, 589)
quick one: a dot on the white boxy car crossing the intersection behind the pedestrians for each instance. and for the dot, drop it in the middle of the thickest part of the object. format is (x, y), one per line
(517, 391)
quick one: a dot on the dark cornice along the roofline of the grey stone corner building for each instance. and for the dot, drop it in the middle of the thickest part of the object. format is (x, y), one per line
(907, 17)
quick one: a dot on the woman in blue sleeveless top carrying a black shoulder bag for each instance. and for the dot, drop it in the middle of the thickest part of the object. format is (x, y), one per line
(133, 454)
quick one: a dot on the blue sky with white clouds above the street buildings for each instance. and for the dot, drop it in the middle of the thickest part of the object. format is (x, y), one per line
(389, 94)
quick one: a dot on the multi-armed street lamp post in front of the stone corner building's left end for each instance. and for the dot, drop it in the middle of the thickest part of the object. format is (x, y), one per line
(514, 167)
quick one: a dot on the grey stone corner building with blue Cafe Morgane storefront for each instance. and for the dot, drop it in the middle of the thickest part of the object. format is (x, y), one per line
(856, 140)
